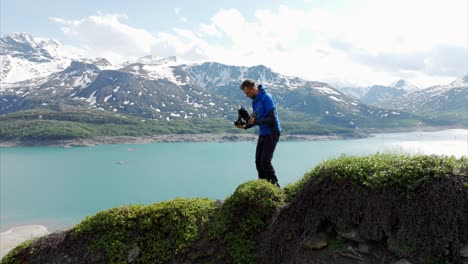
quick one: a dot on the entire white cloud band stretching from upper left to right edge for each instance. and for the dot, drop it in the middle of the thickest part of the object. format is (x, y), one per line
(370, 42)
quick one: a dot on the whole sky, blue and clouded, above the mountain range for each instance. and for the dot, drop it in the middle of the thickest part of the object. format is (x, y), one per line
(359, 42)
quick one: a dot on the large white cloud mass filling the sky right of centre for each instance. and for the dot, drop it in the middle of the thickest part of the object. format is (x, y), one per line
(376, 42)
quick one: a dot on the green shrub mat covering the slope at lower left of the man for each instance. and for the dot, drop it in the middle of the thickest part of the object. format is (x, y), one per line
(161, 231)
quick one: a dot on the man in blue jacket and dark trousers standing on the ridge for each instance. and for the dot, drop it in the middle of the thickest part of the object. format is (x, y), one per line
(265, 116)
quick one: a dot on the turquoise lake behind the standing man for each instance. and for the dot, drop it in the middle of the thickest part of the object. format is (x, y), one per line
(58, 187)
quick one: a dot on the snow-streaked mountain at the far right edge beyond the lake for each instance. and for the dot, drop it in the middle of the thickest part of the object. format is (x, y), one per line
(438, 98)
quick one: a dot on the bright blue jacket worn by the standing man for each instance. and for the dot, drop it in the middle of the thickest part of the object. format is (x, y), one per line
(265, 113)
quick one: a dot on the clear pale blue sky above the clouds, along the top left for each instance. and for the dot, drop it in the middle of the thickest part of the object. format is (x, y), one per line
(157, 15)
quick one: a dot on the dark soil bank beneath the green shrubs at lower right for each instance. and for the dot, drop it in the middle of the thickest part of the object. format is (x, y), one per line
(430, 221)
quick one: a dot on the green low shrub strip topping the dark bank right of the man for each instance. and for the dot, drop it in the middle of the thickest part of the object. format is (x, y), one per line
(381, 170)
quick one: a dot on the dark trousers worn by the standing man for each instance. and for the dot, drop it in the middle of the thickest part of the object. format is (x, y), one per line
(265, 147)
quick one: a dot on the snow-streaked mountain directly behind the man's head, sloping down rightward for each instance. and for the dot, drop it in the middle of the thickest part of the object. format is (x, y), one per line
(292, 93)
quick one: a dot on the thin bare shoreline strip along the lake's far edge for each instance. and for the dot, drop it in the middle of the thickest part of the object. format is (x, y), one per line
(207, 137)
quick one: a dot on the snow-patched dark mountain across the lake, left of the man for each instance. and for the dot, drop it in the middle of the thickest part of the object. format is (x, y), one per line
(120, 91)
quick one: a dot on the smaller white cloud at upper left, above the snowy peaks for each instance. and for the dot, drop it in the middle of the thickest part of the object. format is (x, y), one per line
(104, 35)
